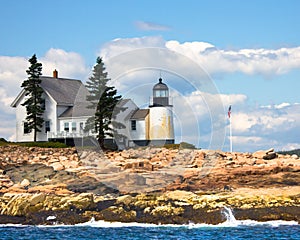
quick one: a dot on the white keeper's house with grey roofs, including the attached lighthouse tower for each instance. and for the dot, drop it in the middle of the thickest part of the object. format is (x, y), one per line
(66, 113)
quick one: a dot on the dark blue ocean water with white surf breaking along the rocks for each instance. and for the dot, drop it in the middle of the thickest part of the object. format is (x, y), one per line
(230, 229)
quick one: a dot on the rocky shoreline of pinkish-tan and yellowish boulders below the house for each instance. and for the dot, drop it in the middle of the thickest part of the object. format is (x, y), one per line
(146, 185)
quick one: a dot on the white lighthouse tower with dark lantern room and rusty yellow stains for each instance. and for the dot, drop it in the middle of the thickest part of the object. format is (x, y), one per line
(161, 128)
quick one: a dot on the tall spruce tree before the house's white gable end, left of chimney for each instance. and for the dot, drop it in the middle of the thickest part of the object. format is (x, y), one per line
(33, 93)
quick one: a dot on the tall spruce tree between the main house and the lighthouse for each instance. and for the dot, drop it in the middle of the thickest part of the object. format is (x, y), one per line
(104, 100)
